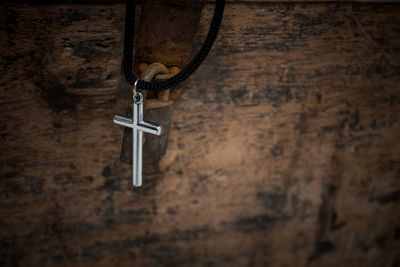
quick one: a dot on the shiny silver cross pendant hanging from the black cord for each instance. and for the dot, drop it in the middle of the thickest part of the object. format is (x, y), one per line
(138, 127)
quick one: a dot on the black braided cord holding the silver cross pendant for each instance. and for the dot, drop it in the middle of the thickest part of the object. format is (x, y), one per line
(187, 71)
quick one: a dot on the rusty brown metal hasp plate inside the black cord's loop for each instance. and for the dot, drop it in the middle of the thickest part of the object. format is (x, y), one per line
(167, 31)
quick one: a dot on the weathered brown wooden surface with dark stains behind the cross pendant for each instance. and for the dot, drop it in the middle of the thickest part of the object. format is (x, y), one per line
(283, 151)
